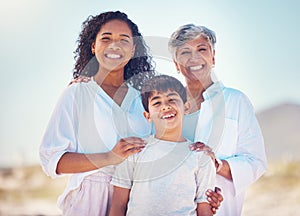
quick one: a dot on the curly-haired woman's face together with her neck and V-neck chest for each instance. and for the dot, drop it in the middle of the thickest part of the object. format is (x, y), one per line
(113, 49)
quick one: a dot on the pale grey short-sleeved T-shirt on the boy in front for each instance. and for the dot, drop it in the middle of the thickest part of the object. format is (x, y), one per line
(166, 178)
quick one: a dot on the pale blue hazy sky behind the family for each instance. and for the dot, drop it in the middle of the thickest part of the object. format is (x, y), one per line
(257, 51)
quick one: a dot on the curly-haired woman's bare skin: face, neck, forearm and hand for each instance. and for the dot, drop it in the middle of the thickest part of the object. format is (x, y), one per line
(113, 49)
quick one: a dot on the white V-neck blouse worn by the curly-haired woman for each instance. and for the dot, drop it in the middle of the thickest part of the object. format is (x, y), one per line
(87, 120)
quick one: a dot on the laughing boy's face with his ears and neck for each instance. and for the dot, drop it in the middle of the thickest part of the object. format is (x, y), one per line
(167, 110)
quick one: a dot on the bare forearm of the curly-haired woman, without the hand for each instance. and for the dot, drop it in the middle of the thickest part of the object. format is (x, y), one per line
(72, 162)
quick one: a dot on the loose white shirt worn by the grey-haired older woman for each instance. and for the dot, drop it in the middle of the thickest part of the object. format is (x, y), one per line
(227, 123)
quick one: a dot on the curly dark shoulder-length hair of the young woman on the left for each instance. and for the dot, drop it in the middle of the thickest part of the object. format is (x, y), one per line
(140, 67)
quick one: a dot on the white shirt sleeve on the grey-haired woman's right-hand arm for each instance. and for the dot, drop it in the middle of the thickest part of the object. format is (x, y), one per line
(249, 162)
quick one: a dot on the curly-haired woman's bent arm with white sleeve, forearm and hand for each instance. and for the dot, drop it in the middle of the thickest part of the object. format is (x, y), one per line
(59, 150)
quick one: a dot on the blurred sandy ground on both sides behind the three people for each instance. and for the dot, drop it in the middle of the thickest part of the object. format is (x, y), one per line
(27, 191)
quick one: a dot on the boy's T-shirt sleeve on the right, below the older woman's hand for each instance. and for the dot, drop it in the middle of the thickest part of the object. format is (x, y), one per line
(205, 177)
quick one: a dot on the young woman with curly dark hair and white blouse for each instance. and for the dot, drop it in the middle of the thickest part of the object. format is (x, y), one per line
(95, 125)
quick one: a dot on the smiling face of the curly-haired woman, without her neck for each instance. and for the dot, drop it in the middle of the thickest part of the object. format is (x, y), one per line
(114, 45)
